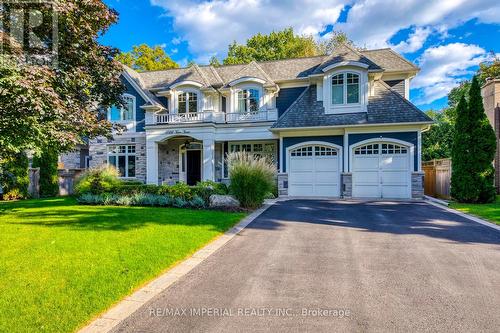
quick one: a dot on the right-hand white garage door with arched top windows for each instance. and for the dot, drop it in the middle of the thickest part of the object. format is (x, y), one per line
(381, 170)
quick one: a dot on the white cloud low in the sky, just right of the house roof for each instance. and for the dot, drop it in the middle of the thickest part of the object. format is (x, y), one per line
(444, 67)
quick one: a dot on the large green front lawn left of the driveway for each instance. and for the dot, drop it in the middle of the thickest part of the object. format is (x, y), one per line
(62, 264)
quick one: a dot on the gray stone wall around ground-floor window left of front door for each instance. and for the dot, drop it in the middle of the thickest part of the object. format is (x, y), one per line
(98, 152)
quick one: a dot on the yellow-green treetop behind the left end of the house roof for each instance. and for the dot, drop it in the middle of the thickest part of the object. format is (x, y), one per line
(145, 58)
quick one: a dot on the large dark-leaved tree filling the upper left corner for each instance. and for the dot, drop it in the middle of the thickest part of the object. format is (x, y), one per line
(56, 106)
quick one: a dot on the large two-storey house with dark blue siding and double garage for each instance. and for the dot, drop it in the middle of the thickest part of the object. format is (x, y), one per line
(337, 125)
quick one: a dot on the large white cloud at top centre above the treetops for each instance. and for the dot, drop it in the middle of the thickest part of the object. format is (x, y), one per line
(209, 26)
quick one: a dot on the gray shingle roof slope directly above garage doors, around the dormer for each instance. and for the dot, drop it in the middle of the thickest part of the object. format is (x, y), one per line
(385, 107)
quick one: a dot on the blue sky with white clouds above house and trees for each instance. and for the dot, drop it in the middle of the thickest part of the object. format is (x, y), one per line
(447, 39)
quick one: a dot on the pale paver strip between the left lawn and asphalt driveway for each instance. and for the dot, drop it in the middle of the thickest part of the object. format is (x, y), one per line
(123, 309)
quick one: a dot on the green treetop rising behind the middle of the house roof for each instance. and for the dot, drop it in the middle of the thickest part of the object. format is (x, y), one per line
(277, 45)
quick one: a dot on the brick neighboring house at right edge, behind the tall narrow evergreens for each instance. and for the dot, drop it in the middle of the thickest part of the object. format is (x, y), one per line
(491, 101)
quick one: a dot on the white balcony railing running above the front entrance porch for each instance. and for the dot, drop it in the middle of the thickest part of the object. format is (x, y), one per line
(212, 117)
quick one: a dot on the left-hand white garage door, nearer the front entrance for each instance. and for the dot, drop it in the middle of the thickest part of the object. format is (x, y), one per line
(314, 171)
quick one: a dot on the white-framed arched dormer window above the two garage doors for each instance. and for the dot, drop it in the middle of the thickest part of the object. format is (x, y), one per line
(345, 88)
